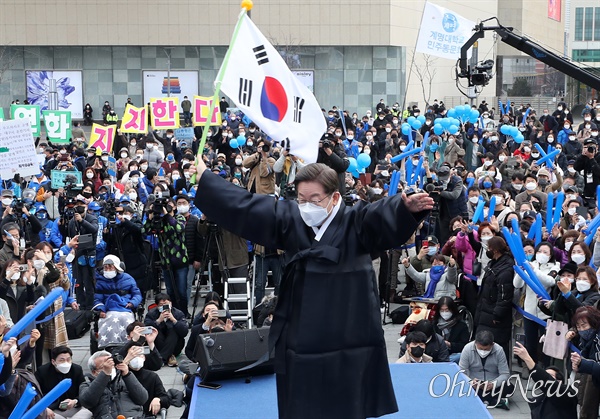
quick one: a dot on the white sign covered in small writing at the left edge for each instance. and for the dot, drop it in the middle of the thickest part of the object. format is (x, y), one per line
(17, 149)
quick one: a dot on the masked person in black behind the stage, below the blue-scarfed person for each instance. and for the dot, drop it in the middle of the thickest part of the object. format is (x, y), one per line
(448, 323)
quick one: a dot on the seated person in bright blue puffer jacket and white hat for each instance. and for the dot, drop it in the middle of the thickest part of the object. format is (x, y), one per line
(115, 289)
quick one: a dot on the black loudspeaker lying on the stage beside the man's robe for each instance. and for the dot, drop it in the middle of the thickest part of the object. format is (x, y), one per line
(220, 354)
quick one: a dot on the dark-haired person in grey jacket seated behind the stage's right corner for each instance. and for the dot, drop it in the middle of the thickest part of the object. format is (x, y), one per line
(484, 362)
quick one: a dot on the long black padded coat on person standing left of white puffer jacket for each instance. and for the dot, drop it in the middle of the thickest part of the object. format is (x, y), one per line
(494, 309)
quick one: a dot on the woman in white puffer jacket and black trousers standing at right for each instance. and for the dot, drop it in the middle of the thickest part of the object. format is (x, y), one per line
(546, 268)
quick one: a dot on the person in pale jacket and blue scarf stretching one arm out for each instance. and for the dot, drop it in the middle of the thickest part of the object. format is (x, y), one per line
(440, 281)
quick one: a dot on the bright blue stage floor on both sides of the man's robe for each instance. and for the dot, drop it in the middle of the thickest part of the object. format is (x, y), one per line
(422, 391)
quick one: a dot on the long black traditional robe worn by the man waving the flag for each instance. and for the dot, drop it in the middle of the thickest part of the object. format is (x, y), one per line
(330, 354)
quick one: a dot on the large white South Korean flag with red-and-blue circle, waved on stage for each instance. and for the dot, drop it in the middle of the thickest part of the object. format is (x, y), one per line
(259, 82)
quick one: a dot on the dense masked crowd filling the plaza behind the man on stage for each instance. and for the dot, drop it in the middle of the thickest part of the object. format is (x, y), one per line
(109, 240)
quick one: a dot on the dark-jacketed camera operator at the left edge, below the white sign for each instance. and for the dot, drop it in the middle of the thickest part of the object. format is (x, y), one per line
(17, 211)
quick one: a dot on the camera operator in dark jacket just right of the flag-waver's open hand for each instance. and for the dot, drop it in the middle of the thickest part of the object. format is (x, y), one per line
(448, 192)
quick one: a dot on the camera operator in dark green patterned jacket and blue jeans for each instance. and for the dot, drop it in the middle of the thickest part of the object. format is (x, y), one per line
(170, 231)
